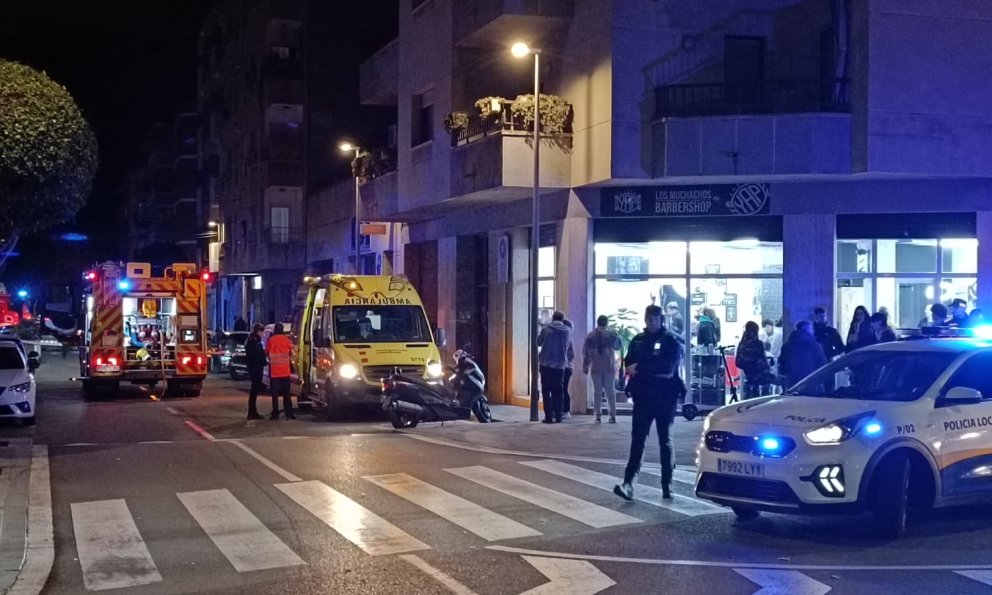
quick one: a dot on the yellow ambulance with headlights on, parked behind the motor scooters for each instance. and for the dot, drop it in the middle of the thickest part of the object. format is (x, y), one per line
(351, 332)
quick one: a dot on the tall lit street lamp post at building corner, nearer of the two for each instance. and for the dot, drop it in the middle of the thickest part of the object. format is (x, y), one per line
(522, 50)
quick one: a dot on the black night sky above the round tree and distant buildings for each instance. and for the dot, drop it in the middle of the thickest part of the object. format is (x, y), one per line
(132, 63)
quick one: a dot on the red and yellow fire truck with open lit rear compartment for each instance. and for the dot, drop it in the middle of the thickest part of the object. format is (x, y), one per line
(145, 329)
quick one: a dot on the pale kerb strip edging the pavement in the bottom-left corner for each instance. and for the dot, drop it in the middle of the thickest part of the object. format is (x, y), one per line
(39, 544)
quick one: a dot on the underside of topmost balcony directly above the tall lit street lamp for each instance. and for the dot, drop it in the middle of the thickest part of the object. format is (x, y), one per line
(487, 22)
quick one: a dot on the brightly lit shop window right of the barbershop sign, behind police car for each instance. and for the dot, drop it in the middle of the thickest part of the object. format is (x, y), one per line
(905, 277)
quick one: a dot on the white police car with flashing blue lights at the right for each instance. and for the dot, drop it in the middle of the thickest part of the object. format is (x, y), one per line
(885, 429)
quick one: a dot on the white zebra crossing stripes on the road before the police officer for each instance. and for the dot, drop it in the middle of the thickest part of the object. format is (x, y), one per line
(112, 552)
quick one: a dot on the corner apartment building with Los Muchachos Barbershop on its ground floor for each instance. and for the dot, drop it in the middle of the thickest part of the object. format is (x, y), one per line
(758, 158)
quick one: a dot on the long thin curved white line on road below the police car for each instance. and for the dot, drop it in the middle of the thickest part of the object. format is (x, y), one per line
(732, 565)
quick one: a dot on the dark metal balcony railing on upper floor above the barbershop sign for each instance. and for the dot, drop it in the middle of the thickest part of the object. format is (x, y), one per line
(757, 97)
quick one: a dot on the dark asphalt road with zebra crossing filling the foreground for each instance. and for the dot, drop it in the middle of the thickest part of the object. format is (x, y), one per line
(153, 495)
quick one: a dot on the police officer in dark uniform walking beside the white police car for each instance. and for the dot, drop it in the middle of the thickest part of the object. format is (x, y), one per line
(652, 362)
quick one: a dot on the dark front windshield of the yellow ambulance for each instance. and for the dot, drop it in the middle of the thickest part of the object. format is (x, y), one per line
(380, 324)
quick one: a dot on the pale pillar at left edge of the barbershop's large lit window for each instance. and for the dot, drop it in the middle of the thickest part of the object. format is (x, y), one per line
(573, 282)
